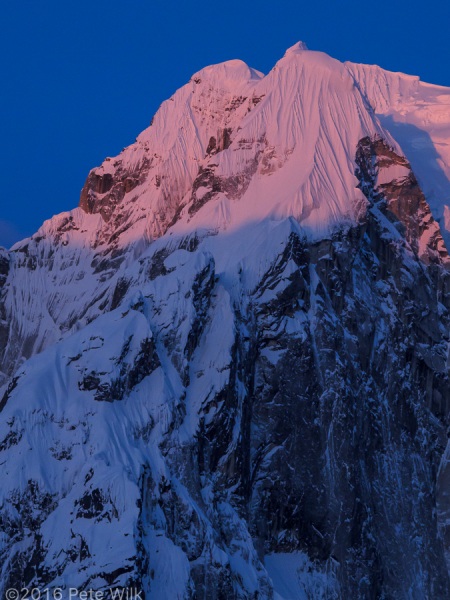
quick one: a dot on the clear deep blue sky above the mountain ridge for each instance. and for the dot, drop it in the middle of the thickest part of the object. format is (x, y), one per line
(81, 79)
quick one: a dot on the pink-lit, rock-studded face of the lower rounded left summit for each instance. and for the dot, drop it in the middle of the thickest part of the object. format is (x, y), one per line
(139, 192)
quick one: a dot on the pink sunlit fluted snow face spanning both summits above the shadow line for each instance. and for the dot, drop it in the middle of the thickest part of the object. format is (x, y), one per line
(257, 146)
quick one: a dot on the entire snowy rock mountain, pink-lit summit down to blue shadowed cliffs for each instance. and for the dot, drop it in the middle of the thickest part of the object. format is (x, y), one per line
(225, 374)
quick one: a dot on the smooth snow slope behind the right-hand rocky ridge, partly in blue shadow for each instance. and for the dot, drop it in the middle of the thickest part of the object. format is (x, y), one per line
(417, 115)
